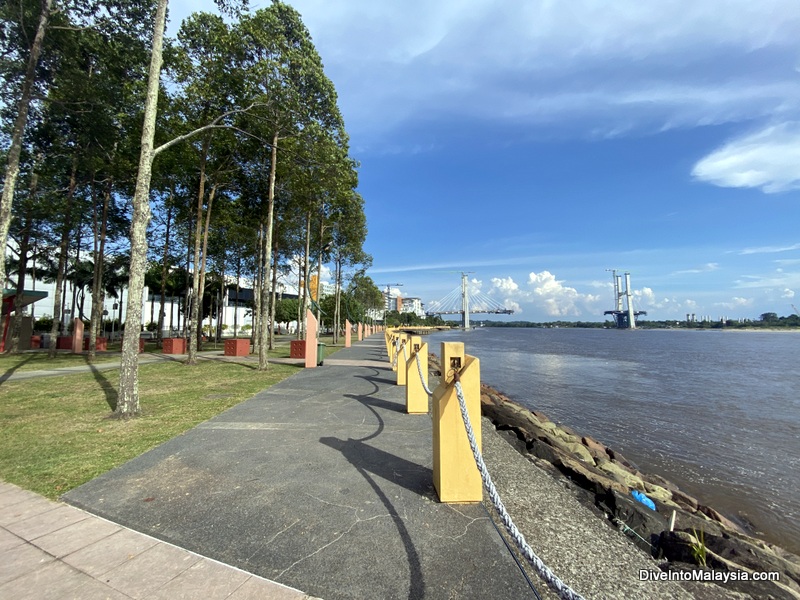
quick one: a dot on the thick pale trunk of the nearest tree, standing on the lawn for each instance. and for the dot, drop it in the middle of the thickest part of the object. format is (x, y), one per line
(128, 402)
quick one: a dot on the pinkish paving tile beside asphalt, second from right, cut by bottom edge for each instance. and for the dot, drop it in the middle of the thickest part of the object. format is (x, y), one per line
(205, 579)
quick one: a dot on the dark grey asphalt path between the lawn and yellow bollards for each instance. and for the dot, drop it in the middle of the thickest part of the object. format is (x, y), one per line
(321, 483)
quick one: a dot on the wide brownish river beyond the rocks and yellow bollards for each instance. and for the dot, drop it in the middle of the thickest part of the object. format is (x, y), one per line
(716, 412)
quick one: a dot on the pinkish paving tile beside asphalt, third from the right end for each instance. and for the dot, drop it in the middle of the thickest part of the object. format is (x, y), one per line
(150, 570)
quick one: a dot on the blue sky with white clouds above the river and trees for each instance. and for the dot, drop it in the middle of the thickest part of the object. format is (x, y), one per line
(536, 145)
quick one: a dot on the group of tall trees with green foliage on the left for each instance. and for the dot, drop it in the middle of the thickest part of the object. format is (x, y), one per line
(214, 159)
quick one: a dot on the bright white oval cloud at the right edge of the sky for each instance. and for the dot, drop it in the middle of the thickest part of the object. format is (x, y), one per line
(766, 159)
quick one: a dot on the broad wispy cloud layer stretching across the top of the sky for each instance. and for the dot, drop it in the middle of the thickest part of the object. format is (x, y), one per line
(626, 64)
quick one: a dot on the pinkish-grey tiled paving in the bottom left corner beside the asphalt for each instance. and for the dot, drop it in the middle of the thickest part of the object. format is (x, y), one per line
(52, 550)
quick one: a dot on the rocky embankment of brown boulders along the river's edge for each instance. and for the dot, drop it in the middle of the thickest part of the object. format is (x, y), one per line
(701, 537)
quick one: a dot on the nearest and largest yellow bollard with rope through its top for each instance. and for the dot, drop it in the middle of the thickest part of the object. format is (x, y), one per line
(455, 475)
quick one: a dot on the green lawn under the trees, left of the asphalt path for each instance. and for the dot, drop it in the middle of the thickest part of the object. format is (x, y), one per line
(58, 432)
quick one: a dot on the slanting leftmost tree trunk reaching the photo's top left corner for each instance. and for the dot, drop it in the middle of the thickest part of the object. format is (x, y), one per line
(15, 149)
